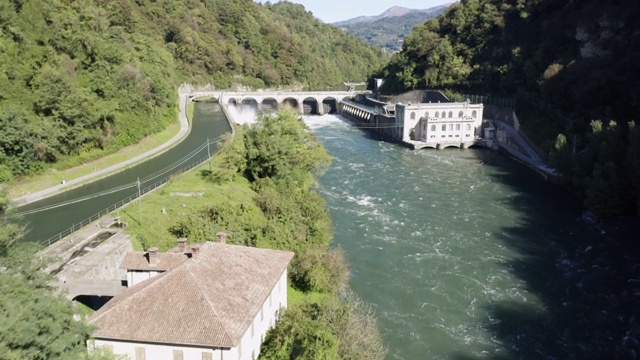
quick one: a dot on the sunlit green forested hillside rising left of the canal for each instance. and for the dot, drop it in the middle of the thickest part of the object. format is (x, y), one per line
(79, 79)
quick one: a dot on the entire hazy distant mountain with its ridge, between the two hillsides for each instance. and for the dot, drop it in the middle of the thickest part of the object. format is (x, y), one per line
(388, 30)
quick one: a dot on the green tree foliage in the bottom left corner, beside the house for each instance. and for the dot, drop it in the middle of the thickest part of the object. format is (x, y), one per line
(35, 322)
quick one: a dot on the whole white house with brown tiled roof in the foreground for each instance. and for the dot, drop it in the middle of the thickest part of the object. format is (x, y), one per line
(210, 302)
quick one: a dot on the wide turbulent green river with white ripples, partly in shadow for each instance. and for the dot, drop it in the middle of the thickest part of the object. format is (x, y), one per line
(465, 254)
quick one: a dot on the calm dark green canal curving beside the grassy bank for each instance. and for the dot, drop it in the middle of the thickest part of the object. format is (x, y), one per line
(50, 216)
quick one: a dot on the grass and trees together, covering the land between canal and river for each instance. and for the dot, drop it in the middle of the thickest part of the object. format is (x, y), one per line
(261, 191)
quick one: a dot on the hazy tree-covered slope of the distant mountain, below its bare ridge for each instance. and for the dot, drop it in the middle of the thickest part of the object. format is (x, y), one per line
(389, 33)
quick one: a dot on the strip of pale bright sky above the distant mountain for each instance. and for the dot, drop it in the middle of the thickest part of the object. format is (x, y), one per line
(337, 10)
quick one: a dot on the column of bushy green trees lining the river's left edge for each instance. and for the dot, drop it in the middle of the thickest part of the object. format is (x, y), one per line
(282, 157)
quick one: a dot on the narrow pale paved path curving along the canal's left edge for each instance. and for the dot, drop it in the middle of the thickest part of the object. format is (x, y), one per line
(184, 130)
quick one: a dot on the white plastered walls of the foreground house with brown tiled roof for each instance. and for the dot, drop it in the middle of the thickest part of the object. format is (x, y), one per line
(249, 348)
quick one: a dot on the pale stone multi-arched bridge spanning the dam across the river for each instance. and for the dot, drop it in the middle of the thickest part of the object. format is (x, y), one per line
(305, 102)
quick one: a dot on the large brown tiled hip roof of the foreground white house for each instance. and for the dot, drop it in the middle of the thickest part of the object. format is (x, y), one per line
(209, 300)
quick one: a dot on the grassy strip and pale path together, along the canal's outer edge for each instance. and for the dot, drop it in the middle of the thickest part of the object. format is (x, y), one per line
(42, 187)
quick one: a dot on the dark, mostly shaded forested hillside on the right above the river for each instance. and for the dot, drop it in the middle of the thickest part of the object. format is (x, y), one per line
(572, 66)
